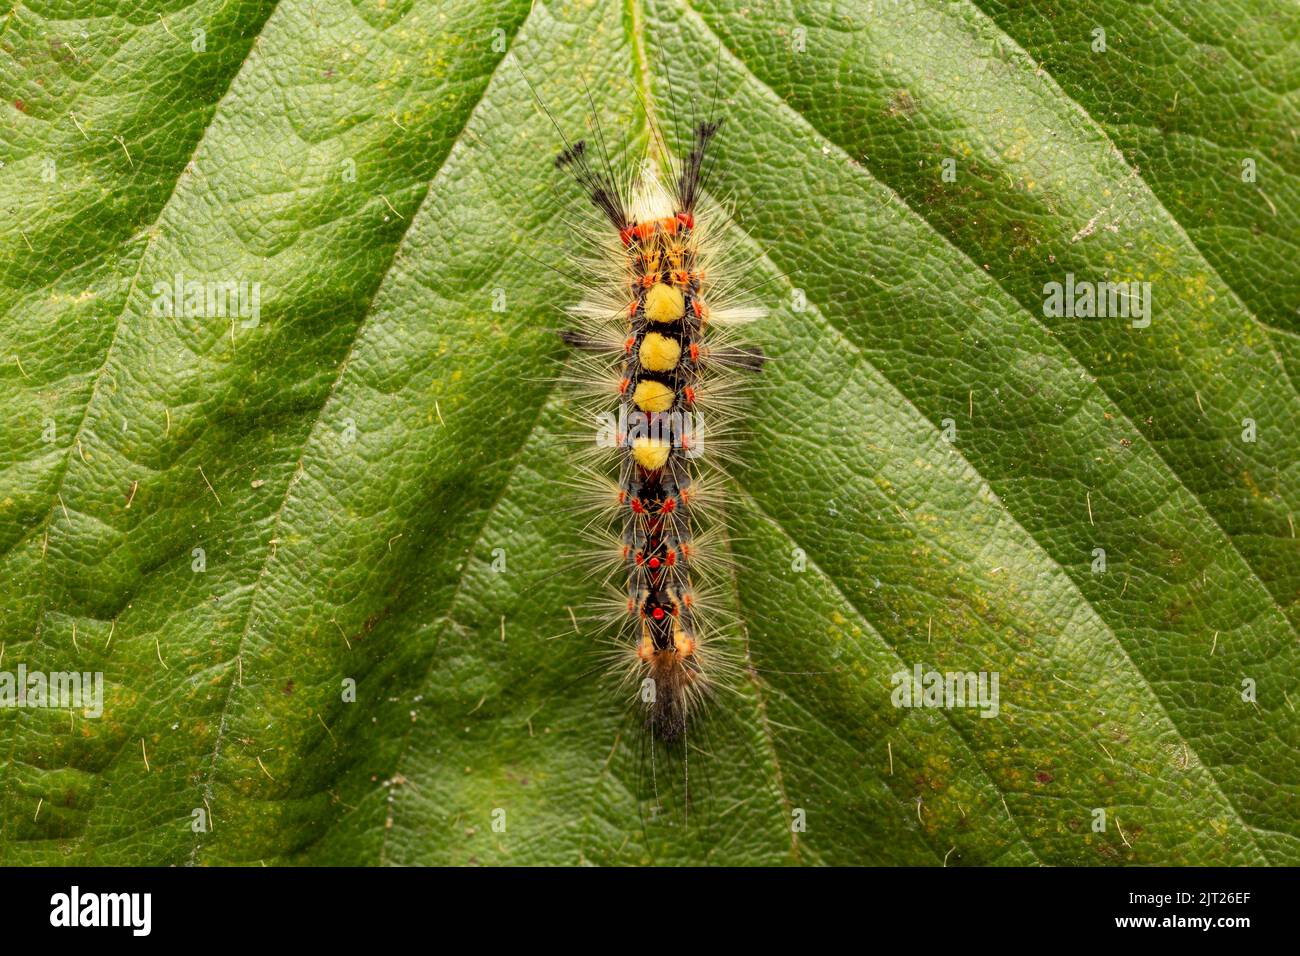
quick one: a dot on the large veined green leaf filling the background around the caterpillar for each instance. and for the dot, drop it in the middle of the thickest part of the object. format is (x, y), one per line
(930, 466)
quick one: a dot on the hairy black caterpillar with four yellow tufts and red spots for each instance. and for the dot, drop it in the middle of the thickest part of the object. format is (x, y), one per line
(660, 364)
